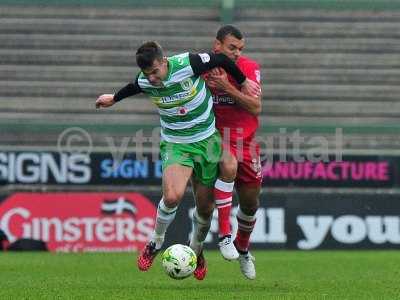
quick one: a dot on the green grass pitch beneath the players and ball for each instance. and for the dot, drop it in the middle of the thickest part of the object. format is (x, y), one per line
(280, 275)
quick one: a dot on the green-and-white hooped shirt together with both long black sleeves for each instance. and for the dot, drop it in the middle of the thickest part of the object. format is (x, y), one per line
(183, 100)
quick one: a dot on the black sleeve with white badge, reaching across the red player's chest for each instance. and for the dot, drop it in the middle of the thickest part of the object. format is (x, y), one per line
(206, 61)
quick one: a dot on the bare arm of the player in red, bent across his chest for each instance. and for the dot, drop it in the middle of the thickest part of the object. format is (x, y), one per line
(250, 102)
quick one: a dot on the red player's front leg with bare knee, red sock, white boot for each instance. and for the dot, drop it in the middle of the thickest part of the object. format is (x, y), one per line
(223, 198)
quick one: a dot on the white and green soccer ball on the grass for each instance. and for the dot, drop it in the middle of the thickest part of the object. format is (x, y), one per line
(179, 261)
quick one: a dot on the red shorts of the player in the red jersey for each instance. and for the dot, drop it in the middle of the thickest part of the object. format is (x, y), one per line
(249, 163)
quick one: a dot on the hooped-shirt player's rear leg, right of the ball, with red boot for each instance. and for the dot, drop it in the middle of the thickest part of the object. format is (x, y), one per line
(202, 216)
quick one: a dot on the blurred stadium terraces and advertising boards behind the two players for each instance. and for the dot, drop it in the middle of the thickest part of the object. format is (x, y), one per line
(330, 72)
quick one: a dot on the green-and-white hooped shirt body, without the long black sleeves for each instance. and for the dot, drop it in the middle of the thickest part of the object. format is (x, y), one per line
(184, 102)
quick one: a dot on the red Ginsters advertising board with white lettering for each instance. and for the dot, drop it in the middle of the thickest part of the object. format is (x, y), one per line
(80, 222)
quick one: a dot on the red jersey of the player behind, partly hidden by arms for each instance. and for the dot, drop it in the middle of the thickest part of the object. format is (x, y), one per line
(231, 116)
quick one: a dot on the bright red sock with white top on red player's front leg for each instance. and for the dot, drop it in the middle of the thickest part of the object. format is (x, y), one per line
(223, 200)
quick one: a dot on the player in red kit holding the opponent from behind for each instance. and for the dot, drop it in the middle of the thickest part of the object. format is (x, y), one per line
(237, 120)
